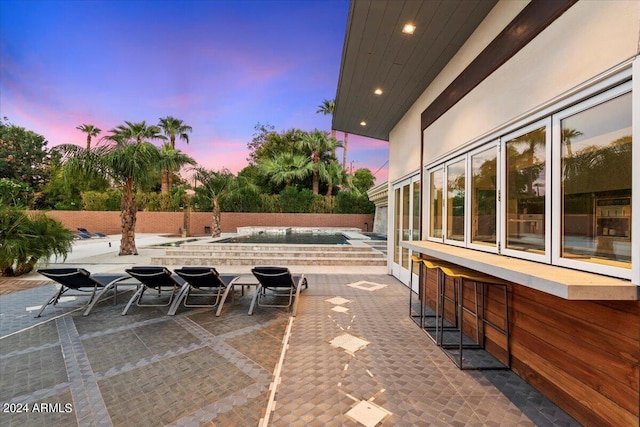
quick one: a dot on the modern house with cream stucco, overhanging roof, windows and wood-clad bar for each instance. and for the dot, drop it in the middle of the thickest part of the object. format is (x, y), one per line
(514, 150)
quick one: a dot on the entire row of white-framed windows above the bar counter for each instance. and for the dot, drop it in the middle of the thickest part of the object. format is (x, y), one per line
(557, 190)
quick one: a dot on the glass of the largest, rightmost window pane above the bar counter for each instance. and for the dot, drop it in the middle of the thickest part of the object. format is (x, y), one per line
(596, 184)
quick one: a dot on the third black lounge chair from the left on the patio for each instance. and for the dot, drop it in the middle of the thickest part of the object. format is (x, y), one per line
(198, 279)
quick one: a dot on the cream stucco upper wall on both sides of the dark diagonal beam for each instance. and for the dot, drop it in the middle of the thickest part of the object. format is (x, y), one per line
(588, 39)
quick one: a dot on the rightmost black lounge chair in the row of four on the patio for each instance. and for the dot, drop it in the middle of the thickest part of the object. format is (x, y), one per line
(275, 283)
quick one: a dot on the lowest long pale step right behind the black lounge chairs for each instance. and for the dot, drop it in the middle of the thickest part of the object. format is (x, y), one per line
(260, 260)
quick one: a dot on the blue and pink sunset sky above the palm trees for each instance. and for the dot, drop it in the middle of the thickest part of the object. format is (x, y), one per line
(221, 66)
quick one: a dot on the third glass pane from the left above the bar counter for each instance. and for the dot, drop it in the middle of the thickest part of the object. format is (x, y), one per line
(484, 190)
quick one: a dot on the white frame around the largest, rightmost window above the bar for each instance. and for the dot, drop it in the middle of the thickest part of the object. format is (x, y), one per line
(557, 258)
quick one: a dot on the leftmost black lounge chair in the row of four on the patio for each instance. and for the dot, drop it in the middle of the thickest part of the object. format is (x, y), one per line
(79, 279)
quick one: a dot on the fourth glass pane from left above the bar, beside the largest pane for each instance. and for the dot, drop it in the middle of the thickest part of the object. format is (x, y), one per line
(526, 167)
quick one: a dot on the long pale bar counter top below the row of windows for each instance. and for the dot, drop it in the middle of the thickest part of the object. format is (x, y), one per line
(558, 281)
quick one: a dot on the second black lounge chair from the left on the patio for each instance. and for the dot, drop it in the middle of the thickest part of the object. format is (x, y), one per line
(156, 278)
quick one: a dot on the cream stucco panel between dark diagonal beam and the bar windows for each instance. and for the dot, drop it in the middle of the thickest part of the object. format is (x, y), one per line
(588, 39)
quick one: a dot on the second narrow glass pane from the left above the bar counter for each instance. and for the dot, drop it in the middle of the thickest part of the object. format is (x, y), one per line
(455, 200)
